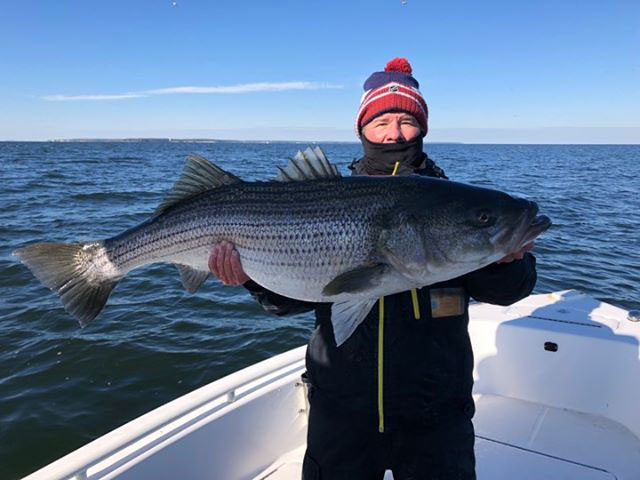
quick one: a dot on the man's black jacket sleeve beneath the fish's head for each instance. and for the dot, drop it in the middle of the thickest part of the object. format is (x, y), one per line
(504, 282)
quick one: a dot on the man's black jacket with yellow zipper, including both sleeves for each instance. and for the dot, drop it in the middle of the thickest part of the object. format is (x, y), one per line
(424, 373)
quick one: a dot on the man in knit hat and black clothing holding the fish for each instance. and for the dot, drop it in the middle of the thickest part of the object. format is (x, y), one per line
(397, 394)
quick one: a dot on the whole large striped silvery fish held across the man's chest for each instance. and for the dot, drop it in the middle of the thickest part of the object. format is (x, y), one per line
(310, 234)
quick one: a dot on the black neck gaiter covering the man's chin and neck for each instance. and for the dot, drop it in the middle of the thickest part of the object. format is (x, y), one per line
(381, 158)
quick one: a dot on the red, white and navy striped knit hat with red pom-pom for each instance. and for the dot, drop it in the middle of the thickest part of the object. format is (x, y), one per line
(393, 90)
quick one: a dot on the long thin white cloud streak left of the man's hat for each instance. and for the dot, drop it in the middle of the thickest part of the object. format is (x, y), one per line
(234, 89)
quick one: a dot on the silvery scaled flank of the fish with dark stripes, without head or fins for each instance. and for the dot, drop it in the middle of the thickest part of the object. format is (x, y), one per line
(303, 241)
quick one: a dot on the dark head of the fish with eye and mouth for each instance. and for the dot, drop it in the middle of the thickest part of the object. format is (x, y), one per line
(465, 228)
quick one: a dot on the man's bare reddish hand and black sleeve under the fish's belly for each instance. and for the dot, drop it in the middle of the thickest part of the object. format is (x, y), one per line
(224, 263)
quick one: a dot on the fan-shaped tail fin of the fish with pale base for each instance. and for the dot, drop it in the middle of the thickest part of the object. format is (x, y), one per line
(75, 271)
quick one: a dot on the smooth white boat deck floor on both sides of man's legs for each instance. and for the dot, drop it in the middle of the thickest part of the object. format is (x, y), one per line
(540, 442)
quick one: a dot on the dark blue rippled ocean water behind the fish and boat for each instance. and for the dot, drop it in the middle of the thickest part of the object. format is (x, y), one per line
(62, 386)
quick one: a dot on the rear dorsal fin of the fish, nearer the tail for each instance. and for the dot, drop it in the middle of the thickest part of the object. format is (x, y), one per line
(198, 175)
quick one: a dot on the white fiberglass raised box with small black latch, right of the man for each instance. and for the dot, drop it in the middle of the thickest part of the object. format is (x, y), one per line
(563, 350)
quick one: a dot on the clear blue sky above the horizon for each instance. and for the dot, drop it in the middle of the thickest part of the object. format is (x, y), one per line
(495, 71)
